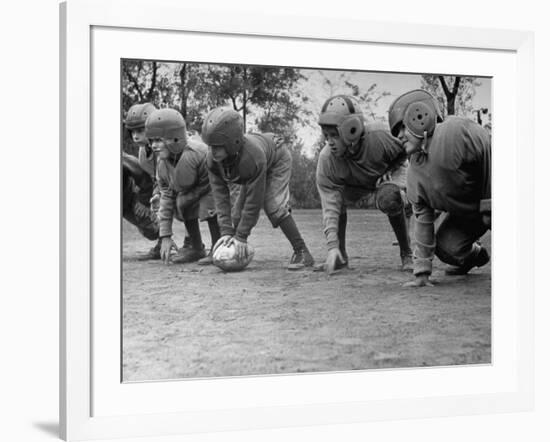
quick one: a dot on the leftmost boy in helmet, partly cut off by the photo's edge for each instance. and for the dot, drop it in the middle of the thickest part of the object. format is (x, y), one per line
(138, 179)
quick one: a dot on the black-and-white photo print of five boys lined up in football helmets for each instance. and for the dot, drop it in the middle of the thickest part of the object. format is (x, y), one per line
(284, 220)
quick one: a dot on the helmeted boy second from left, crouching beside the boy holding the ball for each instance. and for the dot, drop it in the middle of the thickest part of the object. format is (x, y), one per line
(184, 188)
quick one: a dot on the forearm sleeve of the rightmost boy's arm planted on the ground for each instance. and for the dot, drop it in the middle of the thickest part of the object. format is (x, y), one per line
(424, 233)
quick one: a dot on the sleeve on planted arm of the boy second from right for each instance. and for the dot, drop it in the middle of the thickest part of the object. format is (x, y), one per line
(331, 199)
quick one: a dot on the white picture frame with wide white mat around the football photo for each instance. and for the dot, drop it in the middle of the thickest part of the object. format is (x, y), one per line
(90, 411)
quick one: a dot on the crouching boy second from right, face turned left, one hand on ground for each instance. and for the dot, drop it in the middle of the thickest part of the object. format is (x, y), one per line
(359, 161)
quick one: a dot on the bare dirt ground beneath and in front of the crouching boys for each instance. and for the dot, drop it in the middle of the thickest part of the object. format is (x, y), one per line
(183, 321)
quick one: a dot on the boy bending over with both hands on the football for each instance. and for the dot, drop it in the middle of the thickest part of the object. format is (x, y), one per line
(261, 165)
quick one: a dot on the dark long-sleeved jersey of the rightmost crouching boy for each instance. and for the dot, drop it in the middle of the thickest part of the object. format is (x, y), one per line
(454, 176)
